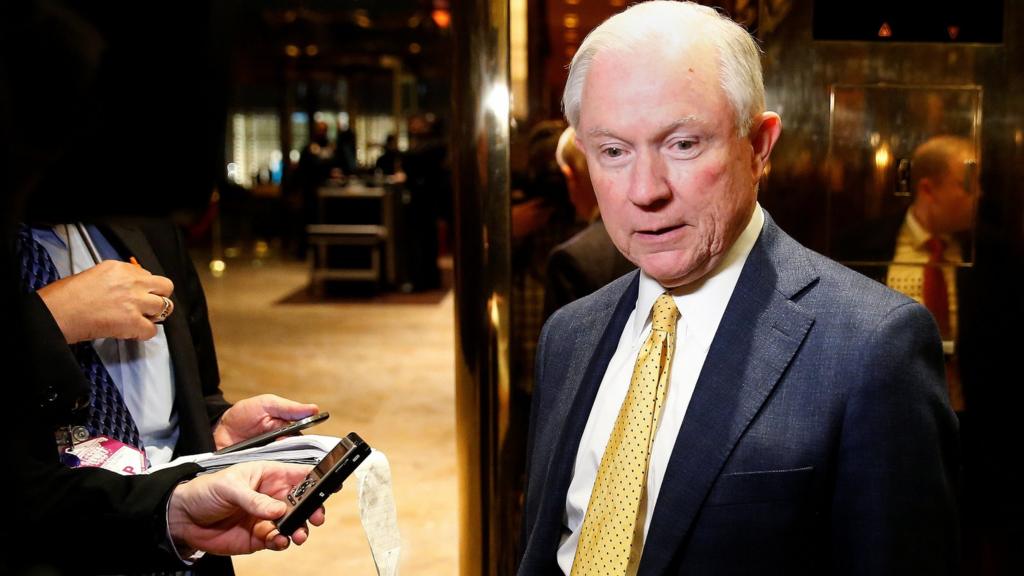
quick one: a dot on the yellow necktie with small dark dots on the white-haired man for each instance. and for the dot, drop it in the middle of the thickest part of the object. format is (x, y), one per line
(608, 540)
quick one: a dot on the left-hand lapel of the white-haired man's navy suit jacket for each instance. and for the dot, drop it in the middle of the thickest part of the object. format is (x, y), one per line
(598, 339)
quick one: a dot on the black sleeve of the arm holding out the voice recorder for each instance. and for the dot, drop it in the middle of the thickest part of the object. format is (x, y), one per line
(65, 521)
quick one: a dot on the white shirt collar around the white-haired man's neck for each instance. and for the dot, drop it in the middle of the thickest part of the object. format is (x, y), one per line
(703, 303)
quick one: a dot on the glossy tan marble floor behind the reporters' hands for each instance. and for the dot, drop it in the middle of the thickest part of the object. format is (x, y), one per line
(385, 369)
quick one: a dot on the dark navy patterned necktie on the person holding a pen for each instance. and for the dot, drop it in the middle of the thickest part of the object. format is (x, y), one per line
(108, 415)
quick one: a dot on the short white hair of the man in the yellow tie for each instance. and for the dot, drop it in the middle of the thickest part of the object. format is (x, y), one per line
(669, 23)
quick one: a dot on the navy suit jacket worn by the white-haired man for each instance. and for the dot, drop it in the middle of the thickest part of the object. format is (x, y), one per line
(820, 439)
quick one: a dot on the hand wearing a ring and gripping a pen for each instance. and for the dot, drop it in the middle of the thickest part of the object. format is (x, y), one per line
(113, 300)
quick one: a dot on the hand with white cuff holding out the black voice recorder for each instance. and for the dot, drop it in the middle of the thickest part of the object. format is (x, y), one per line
(231, 512)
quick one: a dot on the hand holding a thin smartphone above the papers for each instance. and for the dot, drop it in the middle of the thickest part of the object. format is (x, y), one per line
(257, 416)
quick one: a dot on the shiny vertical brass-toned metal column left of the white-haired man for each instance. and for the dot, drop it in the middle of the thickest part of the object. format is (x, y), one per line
(481, 171)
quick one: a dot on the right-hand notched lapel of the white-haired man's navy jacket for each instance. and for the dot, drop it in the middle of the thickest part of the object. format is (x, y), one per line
(758, 338)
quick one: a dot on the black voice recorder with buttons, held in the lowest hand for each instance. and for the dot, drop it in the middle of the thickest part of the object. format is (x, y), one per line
(326, 479)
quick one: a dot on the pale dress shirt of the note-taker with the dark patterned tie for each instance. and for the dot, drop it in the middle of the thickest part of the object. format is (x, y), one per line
(142, 371)
